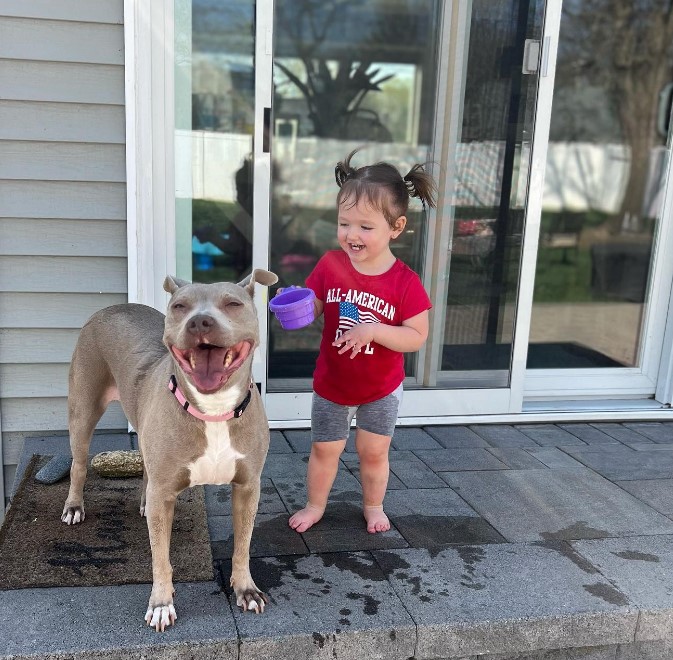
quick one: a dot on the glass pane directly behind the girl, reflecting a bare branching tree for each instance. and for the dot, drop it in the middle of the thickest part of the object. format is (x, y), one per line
(346, 75)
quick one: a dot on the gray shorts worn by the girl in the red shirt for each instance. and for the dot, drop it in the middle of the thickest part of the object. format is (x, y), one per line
(332, 421)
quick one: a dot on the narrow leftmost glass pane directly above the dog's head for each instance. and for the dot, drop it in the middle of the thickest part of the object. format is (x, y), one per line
(214, 102)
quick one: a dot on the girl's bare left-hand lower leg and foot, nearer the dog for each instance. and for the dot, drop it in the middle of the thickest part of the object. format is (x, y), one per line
(322, 468)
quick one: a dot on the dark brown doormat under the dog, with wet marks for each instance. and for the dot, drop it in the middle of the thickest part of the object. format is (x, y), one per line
(111, 546)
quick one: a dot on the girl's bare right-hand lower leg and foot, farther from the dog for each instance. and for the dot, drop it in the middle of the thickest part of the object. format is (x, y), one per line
(374, 469)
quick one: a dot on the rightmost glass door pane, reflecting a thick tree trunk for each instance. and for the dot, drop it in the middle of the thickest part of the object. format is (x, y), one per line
(604, 188)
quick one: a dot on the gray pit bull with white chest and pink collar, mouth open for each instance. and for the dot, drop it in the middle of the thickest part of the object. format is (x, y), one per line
(185, 384)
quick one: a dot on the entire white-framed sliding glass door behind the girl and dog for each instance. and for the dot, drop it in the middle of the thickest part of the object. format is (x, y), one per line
(269, 95)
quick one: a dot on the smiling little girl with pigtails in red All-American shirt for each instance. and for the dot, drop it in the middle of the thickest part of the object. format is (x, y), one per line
(376, 309)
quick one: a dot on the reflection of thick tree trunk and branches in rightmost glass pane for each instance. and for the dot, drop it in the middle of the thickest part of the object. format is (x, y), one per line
(625, 48)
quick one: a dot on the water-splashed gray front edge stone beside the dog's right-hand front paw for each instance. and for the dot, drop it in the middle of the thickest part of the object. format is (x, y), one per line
(323, 606)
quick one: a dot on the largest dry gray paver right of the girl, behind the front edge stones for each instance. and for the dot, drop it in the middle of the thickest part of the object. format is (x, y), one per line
(532, 505)
